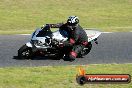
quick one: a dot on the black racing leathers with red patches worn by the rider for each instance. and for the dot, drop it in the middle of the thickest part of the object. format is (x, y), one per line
(77, 39)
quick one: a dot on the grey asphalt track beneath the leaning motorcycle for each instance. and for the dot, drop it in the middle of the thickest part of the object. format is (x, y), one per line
(112, 48)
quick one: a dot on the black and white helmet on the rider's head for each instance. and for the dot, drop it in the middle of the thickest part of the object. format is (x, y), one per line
(73, 21)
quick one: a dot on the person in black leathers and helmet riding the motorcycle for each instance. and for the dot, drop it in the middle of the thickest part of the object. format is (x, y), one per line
(77, 38)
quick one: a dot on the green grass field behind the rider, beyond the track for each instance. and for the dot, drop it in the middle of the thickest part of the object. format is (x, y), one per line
(23, 16)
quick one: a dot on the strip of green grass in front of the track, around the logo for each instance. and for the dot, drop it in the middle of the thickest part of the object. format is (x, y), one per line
(59, 76)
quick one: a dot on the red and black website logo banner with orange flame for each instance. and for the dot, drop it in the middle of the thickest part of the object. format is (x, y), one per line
(83, 78)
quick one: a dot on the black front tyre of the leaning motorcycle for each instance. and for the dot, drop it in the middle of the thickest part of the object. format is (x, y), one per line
(25, 52)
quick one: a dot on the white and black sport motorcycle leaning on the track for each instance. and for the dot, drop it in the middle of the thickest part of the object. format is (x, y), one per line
(44, 43)
